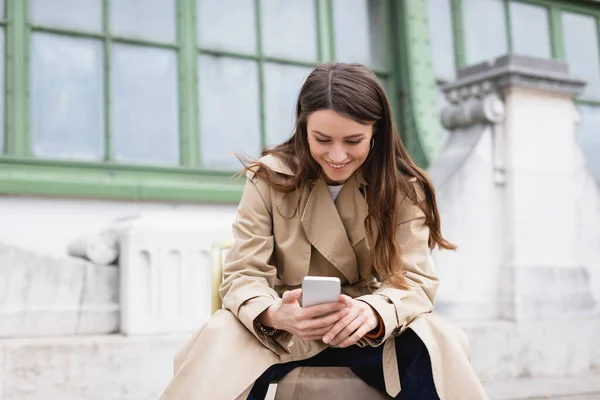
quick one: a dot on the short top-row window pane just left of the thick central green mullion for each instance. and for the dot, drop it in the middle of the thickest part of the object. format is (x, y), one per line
(144, 19)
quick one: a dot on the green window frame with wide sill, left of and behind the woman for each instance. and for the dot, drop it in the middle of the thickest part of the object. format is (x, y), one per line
(23, 174)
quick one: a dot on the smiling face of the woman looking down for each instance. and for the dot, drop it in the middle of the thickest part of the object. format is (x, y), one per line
(339, 144)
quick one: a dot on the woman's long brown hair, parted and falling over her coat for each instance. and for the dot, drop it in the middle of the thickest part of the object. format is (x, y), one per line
(354, 91)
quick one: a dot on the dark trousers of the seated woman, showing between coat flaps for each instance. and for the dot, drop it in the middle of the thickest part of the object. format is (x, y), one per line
(414, 365)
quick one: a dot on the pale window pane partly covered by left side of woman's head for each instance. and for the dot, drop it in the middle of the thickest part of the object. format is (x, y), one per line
(282, 86)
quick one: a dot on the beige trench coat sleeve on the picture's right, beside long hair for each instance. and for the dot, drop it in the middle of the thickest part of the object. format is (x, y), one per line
(398, 307)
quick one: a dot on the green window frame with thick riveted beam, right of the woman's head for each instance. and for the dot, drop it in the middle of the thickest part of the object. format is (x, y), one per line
(424, 134)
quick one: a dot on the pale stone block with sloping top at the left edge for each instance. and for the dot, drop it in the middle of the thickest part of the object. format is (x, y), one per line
(47, 296)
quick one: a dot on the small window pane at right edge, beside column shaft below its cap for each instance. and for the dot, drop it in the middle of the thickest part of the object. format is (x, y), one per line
(589, 137)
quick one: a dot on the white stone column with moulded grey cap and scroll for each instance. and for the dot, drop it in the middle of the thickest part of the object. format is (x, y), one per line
(506, 184)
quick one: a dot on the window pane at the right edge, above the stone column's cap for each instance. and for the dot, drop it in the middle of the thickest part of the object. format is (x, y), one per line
(581, 50)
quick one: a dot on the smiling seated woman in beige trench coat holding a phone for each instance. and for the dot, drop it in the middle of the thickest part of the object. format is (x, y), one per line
(341, 198)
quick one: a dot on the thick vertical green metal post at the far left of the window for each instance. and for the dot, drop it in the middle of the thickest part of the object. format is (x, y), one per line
(17, 73)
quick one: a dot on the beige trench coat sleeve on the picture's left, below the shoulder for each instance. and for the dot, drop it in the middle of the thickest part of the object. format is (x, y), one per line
(248, 275)
